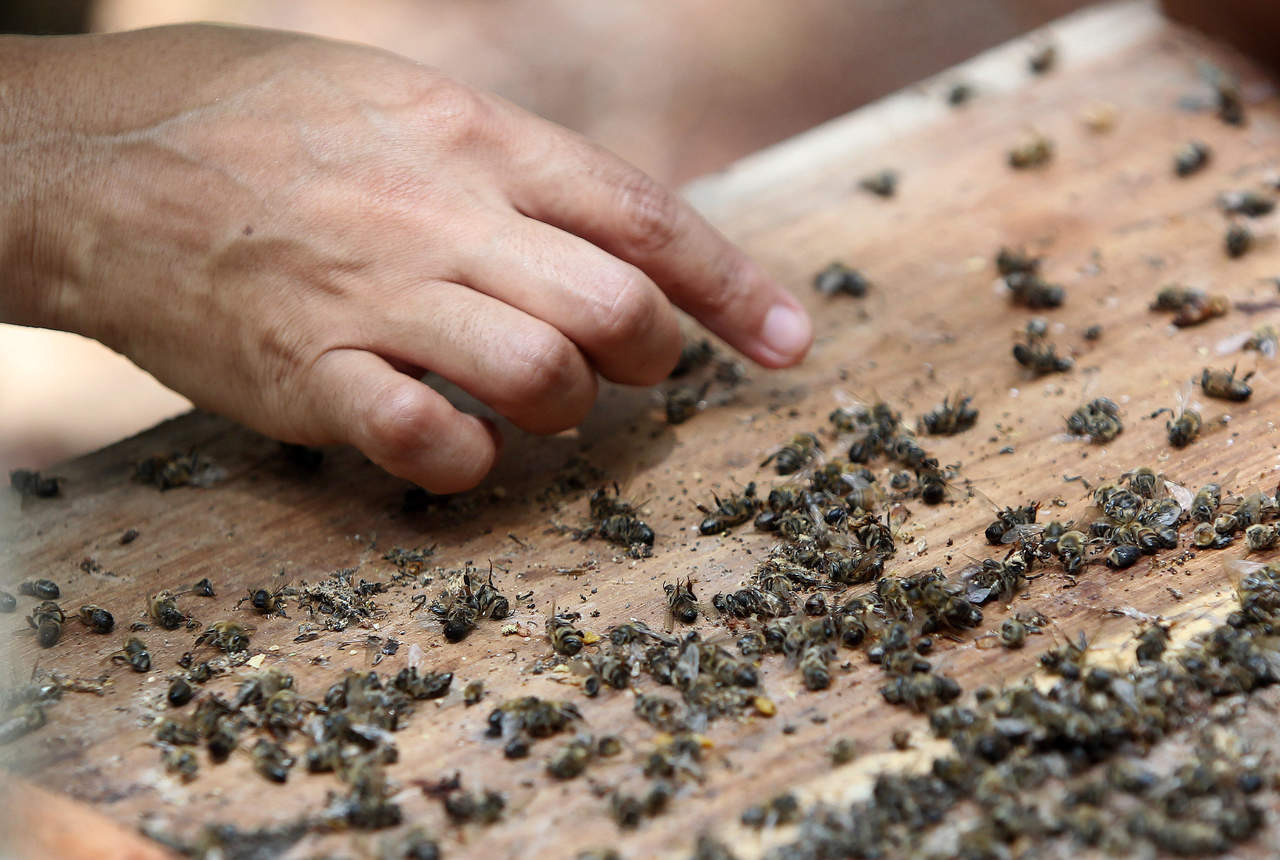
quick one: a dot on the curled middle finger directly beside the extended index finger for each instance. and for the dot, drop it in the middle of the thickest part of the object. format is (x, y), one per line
(609, 308)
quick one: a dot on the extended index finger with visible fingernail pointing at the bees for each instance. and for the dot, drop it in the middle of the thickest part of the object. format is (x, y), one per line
(592, 194)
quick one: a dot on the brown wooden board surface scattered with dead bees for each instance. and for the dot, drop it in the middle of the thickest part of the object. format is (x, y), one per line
(1116, 226)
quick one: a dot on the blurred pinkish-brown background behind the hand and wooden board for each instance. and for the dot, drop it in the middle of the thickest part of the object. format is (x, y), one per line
(679, 88)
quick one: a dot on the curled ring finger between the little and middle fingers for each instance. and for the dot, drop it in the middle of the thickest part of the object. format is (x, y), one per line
(522, 367)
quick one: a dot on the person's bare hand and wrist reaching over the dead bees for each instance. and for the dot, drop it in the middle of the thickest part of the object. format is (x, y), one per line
(291, 231)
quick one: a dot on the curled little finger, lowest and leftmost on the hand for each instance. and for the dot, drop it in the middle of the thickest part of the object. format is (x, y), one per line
(401, 424)
